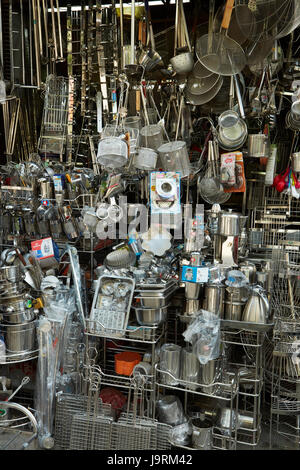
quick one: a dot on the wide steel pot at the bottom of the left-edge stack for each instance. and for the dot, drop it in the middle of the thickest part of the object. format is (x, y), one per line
(20, 338)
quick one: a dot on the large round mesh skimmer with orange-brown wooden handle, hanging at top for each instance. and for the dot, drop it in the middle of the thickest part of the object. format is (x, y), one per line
(221, 54)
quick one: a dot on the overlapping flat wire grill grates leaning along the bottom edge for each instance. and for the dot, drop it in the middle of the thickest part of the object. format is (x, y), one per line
(78, 428)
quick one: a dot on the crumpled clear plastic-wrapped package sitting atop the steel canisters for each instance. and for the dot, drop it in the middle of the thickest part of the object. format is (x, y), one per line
(204, 335)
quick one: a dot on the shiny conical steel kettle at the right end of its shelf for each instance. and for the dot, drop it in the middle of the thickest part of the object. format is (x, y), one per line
(257, 307)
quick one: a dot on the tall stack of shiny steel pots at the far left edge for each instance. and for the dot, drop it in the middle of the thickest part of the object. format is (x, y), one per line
(17, 314)
